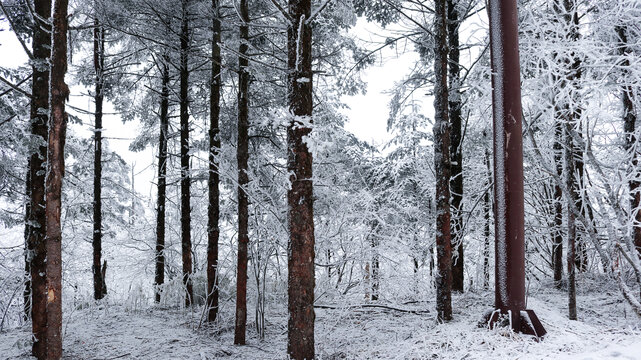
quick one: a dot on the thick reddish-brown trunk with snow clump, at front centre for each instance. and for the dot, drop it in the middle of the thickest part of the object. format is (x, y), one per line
(300, 198)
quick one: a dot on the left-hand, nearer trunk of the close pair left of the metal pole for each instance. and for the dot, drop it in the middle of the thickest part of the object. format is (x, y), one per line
(442, 166)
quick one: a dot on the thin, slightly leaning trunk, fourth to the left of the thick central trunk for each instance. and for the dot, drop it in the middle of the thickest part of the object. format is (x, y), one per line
(159, 279)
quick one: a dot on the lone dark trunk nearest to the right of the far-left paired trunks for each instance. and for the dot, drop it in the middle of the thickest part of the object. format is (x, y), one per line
(99, 286)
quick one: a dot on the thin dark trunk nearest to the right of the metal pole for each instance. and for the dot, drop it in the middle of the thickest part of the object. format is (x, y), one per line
(557, 245)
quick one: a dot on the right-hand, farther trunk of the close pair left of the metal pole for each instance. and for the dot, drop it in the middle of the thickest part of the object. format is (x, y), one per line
(456, 144)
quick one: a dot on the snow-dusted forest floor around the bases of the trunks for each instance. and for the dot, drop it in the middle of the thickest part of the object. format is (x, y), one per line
(606, 330)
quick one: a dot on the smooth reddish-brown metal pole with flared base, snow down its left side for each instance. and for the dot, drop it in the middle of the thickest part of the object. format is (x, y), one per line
(508, 170)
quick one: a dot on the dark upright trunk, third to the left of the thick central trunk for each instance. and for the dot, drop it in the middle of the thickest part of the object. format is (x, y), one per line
(185, 176)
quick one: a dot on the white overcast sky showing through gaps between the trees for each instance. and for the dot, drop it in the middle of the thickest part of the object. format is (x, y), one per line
(367, 114)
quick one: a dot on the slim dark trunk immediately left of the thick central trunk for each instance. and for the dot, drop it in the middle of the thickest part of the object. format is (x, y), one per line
(243, 178)
